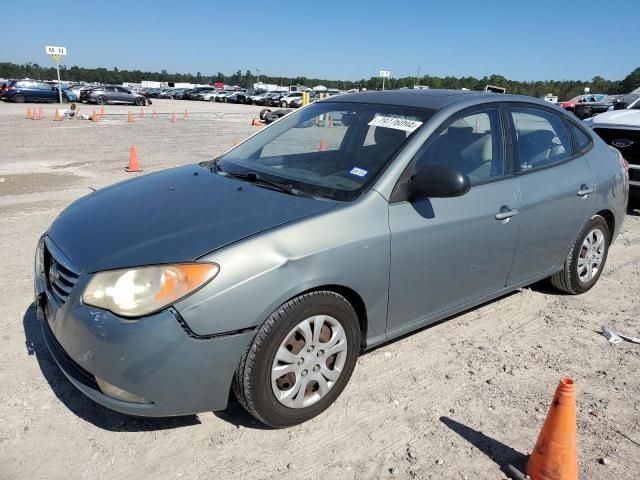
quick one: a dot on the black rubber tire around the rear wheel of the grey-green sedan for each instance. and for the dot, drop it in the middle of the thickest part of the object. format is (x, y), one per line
(567, 279)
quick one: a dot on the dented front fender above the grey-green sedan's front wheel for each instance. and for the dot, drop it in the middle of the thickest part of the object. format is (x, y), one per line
(347, 246)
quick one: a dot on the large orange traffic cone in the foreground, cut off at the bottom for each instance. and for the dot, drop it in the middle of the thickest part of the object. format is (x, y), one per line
(555, 455)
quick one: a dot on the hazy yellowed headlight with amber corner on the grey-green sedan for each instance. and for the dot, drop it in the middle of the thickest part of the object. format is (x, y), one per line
(134, 292)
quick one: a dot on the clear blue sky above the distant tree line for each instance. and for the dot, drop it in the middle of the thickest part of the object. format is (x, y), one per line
(341, 40)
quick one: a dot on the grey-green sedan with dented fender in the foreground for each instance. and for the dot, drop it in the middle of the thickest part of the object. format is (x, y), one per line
(269, 269)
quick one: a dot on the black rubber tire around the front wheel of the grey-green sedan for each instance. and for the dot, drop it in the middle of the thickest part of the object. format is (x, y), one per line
(252, 380)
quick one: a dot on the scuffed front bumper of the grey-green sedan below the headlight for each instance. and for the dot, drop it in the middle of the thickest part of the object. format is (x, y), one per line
(153, 357)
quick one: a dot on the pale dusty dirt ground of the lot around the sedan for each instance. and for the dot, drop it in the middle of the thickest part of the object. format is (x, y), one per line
(457, 400)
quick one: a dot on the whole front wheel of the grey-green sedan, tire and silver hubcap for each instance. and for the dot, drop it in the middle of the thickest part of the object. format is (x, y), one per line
(300, 360)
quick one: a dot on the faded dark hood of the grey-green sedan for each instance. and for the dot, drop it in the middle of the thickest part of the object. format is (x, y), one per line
(176, 215)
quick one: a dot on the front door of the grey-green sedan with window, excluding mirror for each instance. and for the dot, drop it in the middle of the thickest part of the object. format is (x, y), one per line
(446, 252)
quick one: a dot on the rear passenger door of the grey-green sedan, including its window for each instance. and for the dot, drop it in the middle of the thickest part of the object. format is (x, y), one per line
(556, 188)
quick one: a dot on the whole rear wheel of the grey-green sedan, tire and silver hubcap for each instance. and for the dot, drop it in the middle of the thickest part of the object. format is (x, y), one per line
(587, 258)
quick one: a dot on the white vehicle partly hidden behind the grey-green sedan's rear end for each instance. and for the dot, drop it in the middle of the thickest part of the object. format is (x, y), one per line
(621, 129)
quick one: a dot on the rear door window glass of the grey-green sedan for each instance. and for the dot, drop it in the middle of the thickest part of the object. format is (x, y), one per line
(541, 137)
